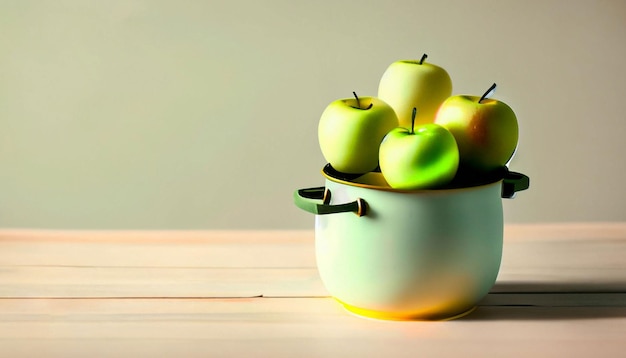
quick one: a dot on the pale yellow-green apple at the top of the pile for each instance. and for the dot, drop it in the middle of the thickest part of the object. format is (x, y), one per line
(409, 83)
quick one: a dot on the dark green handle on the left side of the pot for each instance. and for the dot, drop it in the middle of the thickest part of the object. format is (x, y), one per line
(304, 199)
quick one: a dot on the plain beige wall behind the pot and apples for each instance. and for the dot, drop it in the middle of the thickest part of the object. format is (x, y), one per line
(203, 114)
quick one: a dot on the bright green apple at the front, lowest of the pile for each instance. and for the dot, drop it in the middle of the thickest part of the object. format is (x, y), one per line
(425, 159)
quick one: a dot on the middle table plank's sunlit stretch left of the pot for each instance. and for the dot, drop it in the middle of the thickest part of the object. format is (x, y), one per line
(106, 282)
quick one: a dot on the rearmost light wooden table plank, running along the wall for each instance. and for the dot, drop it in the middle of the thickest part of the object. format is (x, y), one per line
(244, 248)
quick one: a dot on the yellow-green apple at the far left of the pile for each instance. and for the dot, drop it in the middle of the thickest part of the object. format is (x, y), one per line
(350, 137)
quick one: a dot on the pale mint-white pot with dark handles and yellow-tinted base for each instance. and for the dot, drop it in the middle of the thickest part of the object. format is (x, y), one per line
(391, 254)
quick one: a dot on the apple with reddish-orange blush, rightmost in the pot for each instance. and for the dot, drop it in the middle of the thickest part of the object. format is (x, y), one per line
(486, 133)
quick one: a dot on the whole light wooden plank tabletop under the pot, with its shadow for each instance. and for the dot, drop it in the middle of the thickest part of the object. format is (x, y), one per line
(561, 292)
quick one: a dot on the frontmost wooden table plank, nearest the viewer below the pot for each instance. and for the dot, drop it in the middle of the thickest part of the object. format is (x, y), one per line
(287, 327)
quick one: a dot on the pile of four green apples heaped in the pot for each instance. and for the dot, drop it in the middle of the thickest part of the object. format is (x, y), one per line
(416, 132)
